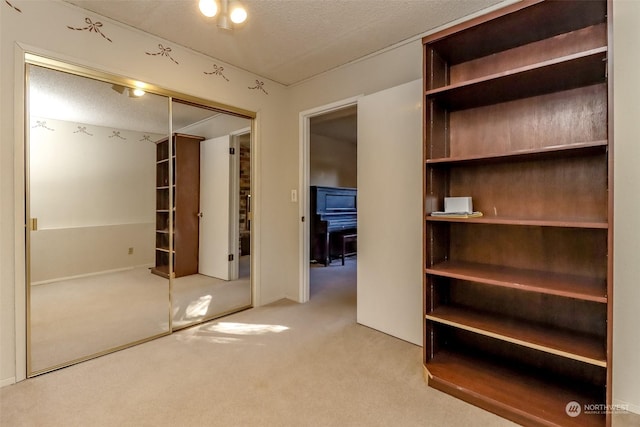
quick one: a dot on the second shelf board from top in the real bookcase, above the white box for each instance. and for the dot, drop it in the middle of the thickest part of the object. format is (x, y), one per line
(530, 154)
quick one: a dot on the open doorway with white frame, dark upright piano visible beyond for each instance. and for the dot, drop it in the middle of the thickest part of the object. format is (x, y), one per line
(328, 160)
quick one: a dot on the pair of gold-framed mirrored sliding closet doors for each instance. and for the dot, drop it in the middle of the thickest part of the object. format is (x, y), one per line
(138, 213)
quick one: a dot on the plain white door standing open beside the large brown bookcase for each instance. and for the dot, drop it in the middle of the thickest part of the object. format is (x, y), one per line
(390, 211)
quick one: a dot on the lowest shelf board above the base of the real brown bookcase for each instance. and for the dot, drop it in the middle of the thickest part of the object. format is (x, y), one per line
(569, 344)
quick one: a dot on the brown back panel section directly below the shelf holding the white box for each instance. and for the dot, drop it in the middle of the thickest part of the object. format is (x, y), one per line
(557, 250)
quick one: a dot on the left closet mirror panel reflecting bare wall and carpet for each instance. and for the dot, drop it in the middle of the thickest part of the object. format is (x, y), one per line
(91, 198)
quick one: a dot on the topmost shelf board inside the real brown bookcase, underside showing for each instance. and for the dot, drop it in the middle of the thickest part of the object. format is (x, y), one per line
(564, 73)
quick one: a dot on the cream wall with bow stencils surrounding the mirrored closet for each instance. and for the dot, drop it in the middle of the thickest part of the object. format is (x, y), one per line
(41, 28)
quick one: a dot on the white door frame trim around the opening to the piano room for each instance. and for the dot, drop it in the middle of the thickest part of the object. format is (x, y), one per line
(303, 187)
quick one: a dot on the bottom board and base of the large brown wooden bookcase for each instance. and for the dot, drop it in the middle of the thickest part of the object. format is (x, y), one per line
(521, 396)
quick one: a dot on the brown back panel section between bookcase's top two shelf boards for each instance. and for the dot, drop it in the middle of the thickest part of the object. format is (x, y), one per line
(560, 118)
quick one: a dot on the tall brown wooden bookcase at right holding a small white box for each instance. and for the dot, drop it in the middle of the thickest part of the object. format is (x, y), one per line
(517, 302)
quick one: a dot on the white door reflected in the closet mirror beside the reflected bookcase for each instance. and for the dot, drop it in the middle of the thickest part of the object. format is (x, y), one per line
(215, 208)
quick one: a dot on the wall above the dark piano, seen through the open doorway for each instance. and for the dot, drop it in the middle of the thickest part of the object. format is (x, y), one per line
(332, 162)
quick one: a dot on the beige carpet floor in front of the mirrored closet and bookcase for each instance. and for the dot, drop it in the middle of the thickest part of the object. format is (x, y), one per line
(284, 364)
